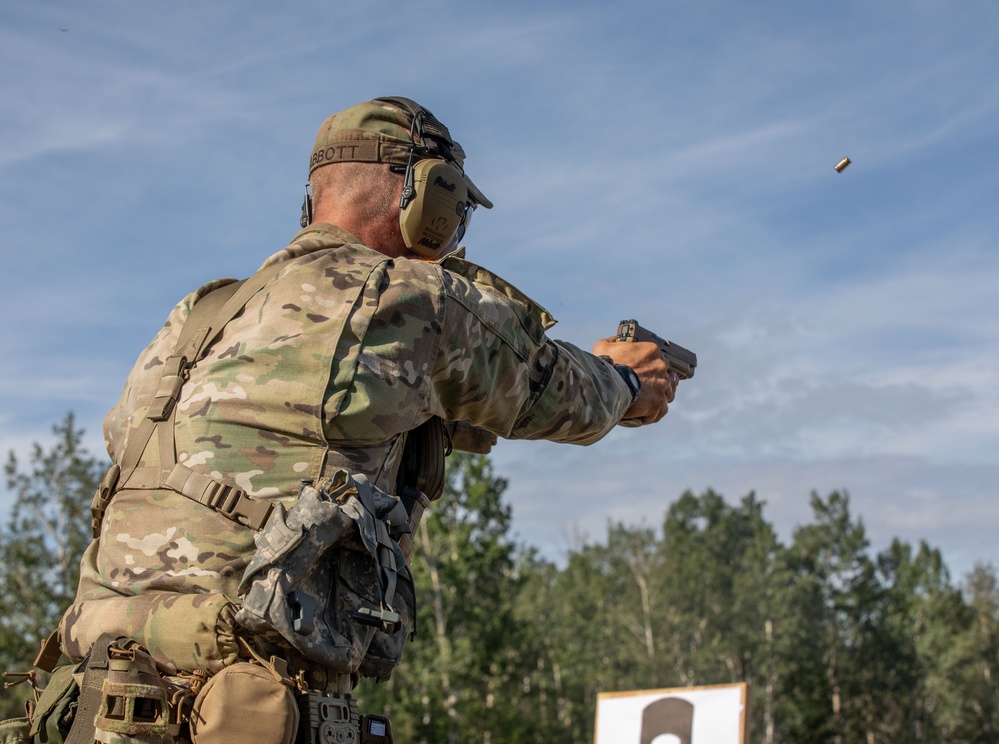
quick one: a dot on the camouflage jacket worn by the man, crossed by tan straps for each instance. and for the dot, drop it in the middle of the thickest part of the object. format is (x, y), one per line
(329, 366)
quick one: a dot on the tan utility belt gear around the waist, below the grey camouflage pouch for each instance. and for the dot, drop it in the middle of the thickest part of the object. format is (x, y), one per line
(117, 695)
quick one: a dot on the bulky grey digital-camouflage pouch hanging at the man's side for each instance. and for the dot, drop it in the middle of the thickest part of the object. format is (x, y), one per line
(327, 576)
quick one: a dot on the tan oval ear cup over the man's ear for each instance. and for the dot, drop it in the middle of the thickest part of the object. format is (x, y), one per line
(431, 216)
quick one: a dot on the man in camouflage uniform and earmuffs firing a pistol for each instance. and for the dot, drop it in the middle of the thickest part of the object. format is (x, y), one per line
(316, 394)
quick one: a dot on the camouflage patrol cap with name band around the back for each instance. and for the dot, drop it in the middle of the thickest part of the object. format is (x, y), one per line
(378, 131)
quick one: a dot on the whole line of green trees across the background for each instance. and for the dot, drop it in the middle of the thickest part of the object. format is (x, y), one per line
(838, 643)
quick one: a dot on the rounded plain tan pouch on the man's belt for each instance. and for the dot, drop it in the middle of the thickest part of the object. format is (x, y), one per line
(245, 703)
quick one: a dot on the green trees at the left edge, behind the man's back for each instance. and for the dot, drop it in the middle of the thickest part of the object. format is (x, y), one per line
(42, 542)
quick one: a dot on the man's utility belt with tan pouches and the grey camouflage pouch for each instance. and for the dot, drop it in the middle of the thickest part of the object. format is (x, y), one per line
(328, 588)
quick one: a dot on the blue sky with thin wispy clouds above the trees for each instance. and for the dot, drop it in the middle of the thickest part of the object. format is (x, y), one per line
(667, 160)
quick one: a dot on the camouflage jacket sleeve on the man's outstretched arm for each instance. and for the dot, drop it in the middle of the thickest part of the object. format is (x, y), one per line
(498, 369)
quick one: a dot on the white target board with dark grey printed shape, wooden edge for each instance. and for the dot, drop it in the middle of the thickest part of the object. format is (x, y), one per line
(718, 714)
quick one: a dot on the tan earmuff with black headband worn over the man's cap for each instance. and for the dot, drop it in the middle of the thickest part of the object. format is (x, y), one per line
(435, 207)
